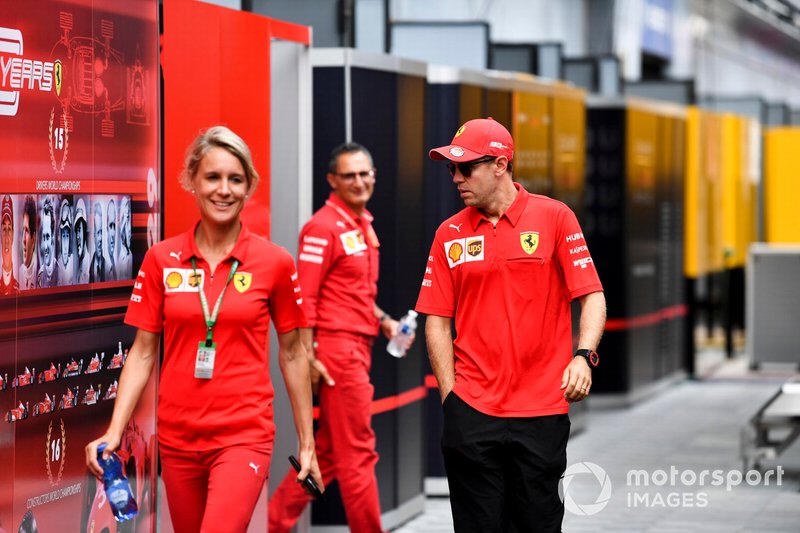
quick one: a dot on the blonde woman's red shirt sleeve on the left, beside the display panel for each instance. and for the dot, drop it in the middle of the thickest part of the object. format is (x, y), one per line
(146, 306)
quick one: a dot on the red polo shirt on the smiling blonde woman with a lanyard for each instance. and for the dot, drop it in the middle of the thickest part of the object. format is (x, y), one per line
(235, 405)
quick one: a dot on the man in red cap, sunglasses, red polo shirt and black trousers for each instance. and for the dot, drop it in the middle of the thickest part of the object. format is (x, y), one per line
(506, 269)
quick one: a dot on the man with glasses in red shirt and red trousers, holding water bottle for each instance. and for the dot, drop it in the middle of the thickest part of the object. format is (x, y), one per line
(338, 267)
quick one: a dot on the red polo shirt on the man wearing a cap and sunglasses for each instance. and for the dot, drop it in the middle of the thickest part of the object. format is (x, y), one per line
(509, 288)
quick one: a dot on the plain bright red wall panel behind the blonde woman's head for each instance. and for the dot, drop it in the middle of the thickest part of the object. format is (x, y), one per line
(216, 71)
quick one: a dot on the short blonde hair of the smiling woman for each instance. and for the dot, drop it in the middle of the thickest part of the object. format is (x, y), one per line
(217, 137)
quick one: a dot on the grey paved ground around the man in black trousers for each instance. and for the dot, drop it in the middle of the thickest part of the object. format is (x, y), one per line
(691, 427)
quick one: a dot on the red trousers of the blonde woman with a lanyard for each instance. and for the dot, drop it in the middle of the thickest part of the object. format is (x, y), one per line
(214, 491)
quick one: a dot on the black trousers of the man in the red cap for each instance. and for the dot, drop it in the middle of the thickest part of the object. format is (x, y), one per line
(503, 473)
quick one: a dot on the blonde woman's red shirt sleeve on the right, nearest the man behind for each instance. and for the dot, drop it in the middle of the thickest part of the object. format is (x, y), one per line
(286, 297)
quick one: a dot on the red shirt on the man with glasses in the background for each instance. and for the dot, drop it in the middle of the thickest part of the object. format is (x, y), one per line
(338, 265)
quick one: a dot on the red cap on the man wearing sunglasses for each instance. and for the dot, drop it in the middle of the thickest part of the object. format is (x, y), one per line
(475, 139)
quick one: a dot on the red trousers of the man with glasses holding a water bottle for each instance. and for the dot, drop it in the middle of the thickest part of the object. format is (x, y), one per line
(345, 440)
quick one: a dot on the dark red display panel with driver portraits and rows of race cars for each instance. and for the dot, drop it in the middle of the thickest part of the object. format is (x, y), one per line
(79, 192)
